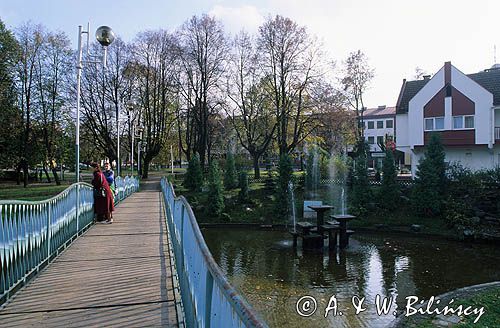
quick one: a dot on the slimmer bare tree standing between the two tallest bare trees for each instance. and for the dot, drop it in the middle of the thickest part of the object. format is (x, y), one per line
(250, 110)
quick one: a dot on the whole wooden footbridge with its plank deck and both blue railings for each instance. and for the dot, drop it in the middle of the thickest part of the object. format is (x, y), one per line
(150, 268)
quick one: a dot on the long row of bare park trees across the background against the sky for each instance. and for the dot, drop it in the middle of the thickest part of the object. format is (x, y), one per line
(189, 90)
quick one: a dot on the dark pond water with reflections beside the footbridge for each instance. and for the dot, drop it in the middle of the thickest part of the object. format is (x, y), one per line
(273, 277)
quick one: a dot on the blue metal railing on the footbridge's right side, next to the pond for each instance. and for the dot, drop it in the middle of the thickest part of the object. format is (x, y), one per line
(208, 298)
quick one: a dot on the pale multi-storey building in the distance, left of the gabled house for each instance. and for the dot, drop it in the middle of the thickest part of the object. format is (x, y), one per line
(378, 126)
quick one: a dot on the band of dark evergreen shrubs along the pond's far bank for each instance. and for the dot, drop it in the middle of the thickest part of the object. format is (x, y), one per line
(467, 202)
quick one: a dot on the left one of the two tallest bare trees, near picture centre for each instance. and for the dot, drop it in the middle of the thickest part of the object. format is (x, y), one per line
(203, 50)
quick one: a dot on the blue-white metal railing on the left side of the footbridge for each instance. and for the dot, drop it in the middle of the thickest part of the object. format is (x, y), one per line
(32, 233)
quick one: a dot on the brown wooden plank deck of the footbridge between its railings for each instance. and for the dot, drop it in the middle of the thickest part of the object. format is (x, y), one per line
(114, 275)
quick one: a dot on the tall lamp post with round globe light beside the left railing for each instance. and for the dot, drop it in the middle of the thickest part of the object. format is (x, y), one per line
(105, 37)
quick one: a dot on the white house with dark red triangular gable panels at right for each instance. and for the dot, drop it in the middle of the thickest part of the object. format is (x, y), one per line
(463, 109)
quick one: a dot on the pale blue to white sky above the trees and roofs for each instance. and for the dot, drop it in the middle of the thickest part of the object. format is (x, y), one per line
(396, 35)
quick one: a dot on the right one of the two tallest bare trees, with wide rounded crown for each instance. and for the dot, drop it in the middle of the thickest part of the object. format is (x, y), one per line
(291, 62)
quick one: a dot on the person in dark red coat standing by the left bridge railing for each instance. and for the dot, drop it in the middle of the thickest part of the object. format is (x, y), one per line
(103, 205)
